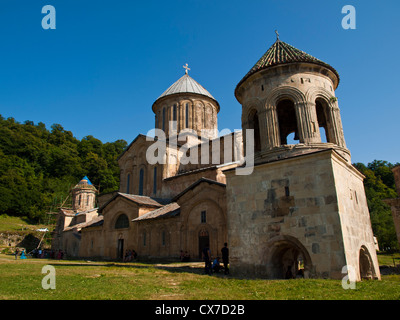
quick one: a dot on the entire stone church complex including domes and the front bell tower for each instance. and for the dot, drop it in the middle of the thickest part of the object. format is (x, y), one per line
(301, 212)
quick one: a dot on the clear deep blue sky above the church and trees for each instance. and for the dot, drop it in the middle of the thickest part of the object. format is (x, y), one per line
(99, 72)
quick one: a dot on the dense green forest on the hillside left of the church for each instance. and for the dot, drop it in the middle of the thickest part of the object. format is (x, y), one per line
(38, 166)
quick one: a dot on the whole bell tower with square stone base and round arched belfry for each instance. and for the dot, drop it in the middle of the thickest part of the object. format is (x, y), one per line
(304, 204)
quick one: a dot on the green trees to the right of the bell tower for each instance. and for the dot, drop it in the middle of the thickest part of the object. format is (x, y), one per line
(379, 185)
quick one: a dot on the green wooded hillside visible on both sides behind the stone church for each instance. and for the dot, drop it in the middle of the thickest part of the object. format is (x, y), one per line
(38, 167)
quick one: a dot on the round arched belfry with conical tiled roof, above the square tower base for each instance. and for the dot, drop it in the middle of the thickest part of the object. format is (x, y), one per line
(288, 98)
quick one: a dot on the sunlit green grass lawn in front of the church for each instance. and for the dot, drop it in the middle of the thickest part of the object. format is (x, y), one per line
(22, 280)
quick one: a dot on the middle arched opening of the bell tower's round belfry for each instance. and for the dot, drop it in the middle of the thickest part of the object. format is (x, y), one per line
(287, 121)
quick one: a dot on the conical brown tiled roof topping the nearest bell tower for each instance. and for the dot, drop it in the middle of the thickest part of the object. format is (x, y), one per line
(282, 53)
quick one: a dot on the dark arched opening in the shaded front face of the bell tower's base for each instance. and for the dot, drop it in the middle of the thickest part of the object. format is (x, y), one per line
(287, 258)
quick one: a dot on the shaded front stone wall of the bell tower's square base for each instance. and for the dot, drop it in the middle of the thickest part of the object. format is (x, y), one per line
(288, 205)
